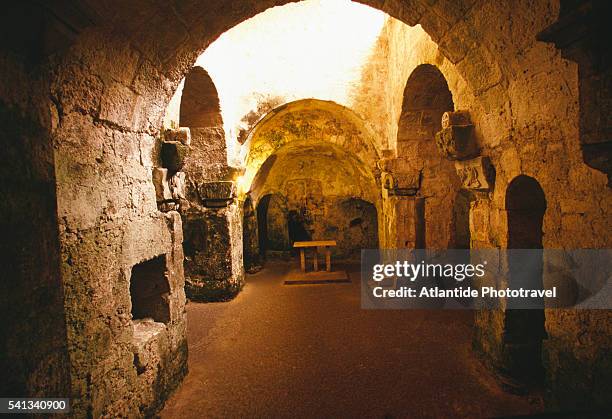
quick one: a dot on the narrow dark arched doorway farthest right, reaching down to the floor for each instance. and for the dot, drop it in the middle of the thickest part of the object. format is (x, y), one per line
(524, 328)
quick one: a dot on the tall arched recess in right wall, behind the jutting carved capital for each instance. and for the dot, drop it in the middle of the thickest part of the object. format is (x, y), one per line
(426, 98)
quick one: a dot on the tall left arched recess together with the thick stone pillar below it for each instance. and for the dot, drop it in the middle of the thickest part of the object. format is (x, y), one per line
(204, 193)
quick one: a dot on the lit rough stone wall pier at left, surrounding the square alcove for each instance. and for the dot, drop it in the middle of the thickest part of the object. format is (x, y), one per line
(108, 105)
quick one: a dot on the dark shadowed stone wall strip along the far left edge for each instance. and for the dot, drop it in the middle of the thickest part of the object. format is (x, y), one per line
(33, 348)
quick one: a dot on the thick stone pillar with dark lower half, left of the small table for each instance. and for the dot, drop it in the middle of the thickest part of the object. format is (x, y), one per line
(212, 220)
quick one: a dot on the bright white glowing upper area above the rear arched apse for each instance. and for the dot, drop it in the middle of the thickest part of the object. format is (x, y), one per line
(309, 49)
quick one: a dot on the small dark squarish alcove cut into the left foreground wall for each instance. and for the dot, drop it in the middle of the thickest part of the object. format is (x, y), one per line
(149, 290)
